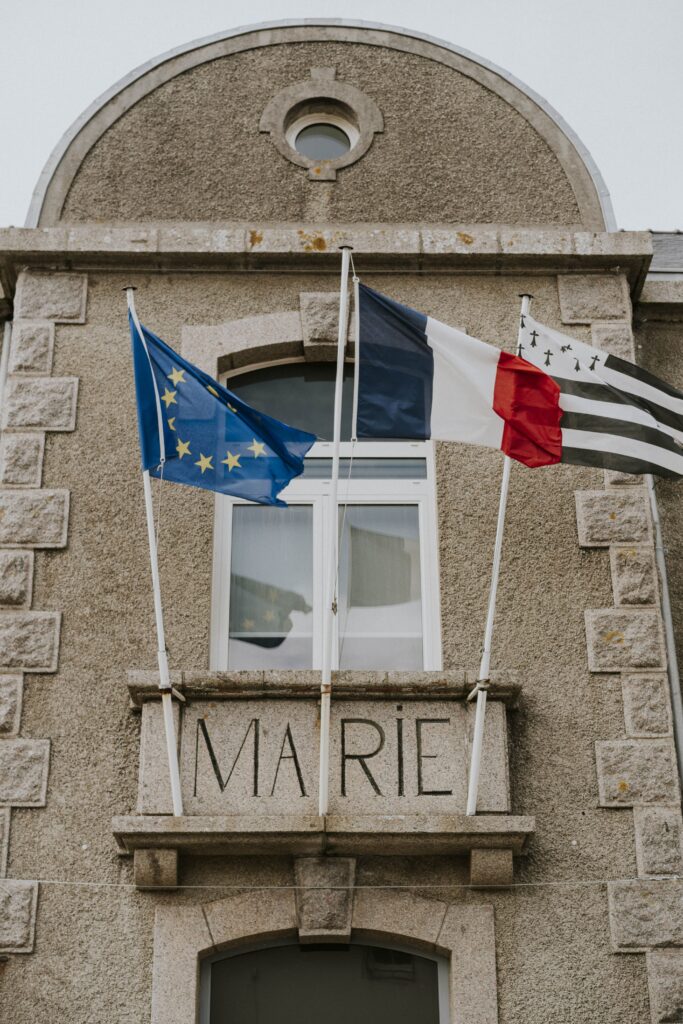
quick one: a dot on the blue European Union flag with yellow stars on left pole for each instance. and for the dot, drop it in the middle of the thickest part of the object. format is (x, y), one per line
(193, 431)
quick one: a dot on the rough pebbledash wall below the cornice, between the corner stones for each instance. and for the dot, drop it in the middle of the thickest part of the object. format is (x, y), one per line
(95, 944)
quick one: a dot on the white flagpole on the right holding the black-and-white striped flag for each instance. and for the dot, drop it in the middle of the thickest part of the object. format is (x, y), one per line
(485, 669)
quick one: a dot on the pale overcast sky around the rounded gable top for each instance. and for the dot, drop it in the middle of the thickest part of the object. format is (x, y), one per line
(612, 68)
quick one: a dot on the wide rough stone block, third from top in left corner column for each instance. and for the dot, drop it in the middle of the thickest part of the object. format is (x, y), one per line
(41, 403)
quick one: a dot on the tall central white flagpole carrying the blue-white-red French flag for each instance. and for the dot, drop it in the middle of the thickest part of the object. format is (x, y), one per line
(330, 609)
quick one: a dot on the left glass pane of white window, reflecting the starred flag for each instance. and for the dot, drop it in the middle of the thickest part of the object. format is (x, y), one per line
(272, 593)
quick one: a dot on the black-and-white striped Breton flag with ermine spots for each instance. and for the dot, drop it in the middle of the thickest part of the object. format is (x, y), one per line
(615, 414)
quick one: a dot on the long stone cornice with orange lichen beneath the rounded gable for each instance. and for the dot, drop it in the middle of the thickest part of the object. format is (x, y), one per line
(487, 248)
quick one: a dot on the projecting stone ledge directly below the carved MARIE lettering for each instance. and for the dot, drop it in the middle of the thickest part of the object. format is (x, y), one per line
(438, 835)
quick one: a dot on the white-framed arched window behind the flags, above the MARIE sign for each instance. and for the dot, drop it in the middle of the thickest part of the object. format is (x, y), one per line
(269, 577)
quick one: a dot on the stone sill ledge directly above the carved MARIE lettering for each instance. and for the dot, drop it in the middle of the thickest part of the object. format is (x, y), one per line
(453, 684)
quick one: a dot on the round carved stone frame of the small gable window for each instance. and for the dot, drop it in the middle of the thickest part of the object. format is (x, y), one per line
(322, 100)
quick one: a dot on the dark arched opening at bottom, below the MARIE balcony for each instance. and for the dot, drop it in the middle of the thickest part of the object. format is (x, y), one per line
(356, 985)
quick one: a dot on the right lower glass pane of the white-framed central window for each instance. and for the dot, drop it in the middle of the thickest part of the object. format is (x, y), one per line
(380, 601)
